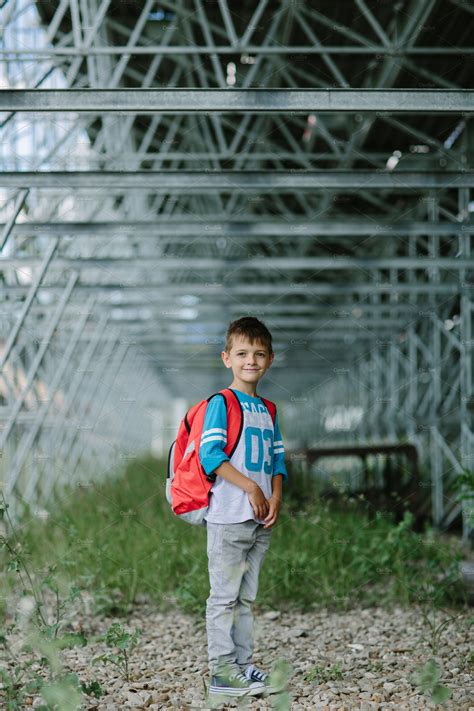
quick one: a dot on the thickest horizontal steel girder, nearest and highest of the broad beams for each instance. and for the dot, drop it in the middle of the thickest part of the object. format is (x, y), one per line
(174, 101)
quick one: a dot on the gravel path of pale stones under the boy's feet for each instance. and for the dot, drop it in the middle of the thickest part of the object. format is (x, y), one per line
(377, 651)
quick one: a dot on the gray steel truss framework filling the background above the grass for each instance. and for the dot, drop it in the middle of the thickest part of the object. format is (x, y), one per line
(169, 166)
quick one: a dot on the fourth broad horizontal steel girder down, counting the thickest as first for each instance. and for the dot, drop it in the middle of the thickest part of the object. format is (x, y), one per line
(259, 263)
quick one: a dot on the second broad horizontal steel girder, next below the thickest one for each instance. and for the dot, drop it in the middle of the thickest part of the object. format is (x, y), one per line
(229, 181)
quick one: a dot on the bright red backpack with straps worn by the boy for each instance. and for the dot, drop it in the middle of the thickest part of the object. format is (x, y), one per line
(187, 484)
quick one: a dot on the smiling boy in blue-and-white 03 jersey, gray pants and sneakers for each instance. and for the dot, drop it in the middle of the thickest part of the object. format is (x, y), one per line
(244, 505)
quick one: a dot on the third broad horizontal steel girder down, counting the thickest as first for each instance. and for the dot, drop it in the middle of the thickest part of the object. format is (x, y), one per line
(163, 225)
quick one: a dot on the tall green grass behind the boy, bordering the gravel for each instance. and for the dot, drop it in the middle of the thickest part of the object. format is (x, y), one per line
(120, 539)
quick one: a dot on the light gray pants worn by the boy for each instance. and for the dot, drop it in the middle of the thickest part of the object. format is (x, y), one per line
(235, 553)
